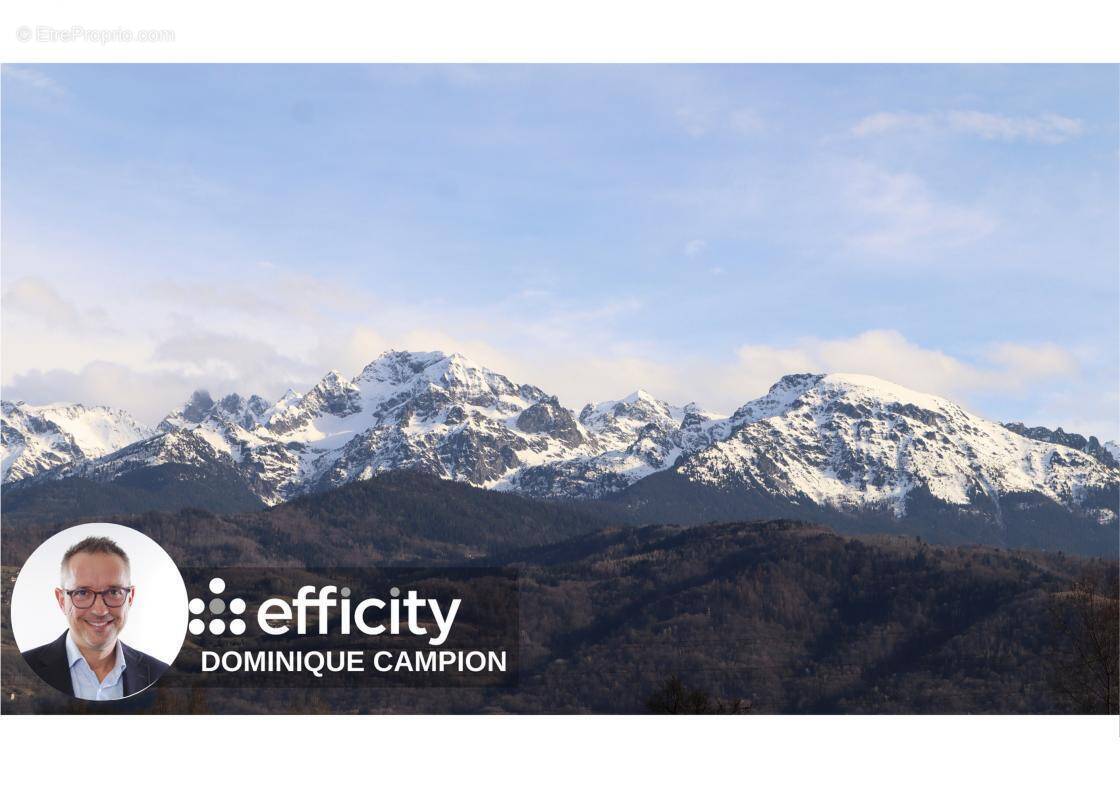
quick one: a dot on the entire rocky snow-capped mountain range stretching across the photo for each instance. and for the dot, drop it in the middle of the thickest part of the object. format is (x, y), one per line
(839, 441)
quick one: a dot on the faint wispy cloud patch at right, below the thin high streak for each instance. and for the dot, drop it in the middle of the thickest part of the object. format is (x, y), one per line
(900, 218)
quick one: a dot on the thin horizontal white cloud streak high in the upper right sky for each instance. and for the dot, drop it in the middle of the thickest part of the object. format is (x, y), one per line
(1047, 129)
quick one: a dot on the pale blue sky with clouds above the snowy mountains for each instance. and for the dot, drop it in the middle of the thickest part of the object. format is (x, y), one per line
(694, 231)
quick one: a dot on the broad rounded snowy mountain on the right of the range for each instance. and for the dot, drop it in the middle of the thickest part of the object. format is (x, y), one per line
(856, 441)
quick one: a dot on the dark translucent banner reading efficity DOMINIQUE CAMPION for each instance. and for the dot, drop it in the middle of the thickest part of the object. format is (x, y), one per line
(288, 628)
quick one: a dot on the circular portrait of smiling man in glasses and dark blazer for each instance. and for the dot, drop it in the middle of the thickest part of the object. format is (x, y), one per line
(99, 611)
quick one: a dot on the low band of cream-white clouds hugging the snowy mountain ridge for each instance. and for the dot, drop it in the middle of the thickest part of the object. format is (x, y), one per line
(578, 371)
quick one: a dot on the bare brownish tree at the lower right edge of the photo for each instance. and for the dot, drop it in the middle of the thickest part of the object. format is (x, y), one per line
(1087, 646)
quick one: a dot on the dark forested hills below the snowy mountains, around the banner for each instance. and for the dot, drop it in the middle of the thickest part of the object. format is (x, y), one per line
(774, 617)
